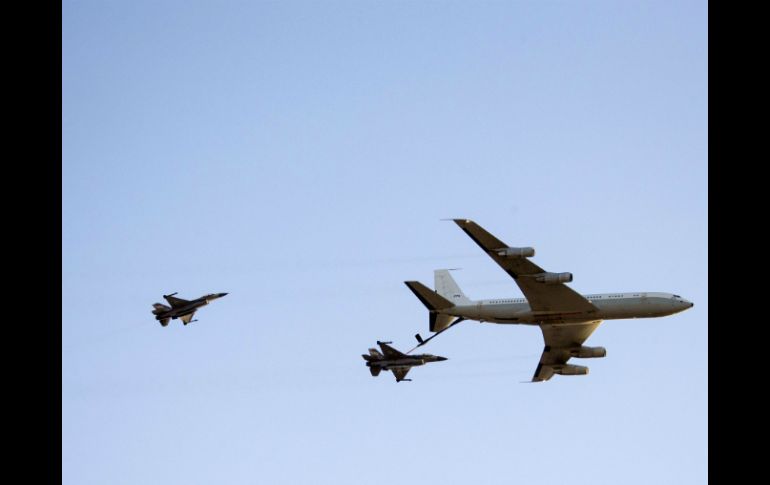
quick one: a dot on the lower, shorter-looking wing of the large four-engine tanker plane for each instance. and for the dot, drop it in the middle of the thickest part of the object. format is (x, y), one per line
(559, 338)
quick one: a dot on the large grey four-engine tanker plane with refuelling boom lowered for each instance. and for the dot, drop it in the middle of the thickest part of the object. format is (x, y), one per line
(565, 317)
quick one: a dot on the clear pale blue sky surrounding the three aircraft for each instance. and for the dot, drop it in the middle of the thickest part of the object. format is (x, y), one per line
(299, 155)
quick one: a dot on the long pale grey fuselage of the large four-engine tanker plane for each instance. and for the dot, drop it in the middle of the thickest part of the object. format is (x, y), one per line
(609, 306)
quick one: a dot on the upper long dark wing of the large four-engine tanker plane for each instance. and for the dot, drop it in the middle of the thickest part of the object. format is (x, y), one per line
(553, 297)
